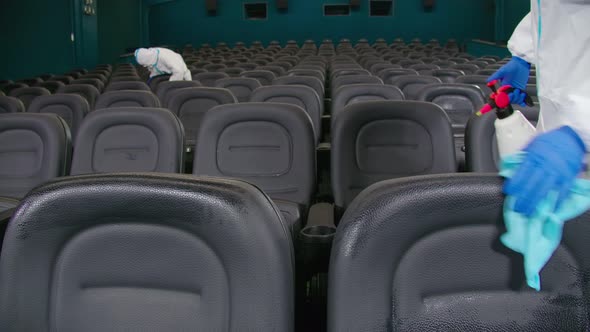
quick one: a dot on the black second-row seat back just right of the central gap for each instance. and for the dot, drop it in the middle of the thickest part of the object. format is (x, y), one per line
(379, 140)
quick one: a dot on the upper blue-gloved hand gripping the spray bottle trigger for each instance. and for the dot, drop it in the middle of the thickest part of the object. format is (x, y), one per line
(516, 74)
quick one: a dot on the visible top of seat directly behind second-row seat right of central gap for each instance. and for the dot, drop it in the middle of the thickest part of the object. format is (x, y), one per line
(356, 93)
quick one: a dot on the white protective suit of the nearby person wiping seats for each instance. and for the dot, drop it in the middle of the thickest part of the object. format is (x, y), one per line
(555, 37)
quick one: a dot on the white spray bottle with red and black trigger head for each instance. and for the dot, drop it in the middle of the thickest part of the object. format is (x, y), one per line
(513, 130)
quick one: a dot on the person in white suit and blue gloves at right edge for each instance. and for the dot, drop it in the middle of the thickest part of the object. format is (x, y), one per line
(554, 36)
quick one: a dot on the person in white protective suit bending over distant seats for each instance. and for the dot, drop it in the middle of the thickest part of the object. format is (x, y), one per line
(162, 61)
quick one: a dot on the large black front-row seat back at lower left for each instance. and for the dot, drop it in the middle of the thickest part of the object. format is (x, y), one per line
(150, 252)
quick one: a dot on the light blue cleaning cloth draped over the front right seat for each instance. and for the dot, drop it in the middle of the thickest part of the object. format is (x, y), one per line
(537, 237)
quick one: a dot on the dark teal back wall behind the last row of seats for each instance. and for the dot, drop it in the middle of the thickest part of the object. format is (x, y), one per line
(185, 21)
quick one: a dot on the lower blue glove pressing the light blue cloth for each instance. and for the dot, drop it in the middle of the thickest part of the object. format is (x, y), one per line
(552, 163)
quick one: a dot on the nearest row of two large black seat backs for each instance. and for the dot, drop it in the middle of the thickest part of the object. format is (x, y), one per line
(175, 253)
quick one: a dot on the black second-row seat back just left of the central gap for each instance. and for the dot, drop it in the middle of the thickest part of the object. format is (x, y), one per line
(268, 144)
